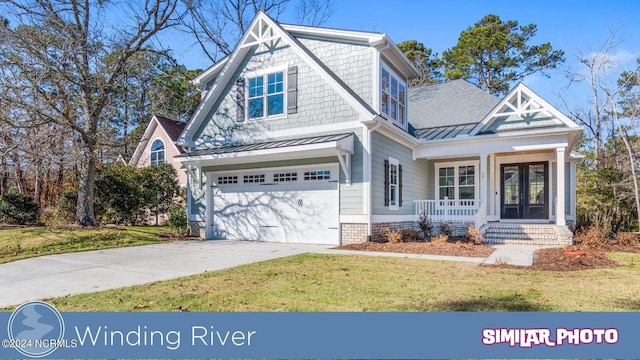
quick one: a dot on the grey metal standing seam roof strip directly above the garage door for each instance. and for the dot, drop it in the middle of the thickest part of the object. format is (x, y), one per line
(267, 145)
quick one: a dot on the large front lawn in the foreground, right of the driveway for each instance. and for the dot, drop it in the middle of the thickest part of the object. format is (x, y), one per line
(313, 282)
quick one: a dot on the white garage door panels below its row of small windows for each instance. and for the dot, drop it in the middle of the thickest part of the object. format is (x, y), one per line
(302, 211)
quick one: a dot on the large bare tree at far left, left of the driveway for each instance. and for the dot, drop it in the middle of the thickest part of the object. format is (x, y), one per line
(61, 59)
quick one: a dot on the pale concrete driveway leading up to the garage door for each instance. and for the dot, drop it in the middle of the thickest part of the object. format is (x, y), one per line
(91, 271)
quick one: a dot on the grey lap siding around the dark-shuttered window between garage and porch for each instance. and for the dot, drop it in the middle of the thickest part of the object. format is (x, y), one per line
(414, 175)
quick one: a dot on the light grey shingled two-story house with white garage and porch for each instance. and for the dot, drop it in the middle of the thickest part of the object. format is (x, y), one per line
(309, 134)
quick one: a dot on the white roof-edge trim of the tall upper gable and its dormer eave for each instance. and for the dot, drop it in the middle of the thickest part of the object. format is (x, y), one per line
(263, 29)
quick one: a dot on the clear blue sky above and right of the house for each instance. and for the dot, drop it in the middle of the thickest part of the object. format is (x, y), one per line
(579, 28)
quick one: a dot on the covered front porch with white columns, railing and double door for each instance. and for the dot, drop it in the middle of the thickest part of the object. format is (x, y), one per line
(527, 187)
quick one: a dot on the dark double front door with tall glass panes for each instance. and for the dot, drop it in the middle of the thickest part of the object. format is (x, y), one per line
(524, 191)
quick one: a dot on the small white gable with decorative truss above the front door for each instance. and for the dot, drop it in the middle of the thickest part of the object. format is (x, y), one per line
(522, 109)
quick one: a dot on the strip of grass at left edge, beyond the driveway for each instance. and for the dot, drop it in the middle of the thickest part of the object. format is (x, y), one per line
(22, 243)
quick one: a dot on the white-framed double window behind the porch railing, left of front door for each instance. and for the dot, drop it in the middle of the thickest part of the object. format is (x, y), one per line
(457, 181)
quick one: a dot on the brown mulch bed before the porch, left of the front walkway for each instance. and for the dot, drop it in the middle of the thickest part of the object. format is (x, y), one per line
(451, 248)
